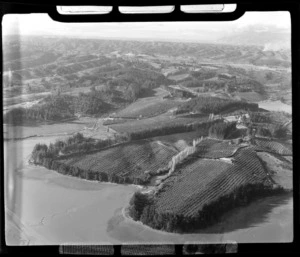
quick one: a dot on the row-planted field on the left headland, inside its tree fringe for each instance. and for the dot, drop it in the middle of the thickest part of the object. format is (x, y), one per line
(128, 162)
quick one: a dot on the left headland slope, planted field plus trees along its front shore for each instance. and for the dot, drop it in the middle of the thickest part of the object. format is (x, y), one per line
(125, 163)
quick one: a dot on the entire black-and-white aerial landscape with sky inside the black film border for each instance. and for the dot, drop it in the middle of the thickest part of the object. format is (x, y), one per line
(147, 135)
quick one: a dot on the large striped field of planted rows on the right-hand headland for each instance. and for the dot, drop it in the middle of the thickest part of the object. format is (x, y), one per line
(204, 181)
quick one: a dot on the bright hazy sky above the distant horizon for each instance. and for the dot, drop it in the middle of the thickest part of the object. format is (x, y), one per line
(42, 24)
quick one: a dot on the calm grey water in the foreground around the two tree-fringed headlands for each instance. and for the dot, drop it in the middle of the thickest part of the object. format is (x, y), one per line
(47, 208)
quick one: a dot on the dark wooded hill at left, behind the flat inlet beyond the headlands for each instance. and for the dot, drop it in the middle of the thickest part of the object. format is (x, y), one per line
(124, 85)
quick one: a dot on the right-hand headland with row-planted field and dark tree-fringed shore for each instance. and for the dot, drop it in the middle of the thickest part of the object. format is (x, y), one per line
(207, 189)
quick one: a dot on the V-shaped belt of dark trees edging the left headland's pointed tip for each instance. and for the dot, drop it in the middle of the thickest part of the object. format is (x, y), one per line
(52, 157)
